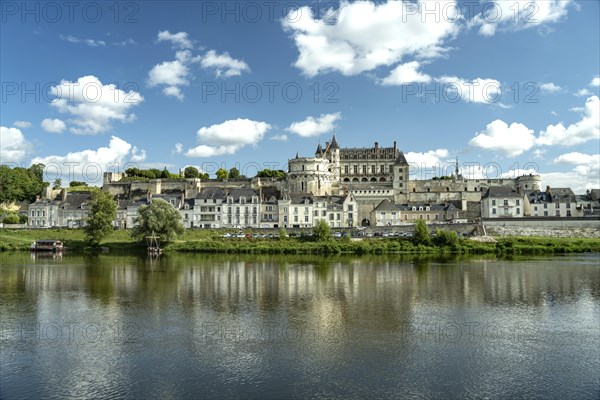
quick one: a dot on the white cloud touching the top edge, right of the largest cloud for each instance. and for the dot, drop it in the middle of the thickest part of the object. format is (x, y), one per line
(518, 14)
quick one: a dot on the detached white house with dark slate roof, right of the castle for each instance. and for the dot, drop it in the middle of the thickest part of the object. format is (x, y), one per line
(502, 202)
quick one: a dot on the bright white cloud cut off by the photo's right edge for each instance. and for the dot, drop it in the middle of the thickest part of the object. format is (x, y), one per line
(588, 128)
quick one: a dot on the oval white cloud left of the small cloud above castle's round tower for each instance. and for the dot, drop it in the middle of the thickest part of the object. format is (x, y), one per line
(228, 137)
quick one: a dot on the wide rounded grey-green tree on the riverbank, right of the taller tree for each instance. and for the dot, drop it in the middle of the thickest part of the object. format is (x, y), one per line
(159, 218)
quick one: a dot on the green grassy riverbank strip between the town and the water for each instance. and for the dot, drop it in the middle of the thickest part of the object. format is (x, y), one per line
(204, 241)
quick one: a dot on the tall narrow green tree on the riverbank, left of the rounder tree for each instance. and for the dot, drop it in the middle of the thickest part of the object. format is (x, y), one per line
(102, 213)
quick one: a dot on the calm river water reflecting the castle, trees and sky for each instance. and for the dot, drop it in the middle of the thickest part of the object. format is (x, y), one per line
(198, 326)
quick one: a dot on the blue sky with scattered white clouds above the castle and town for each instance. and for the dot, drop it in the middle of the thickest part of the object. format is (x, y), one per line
(505, 86)
